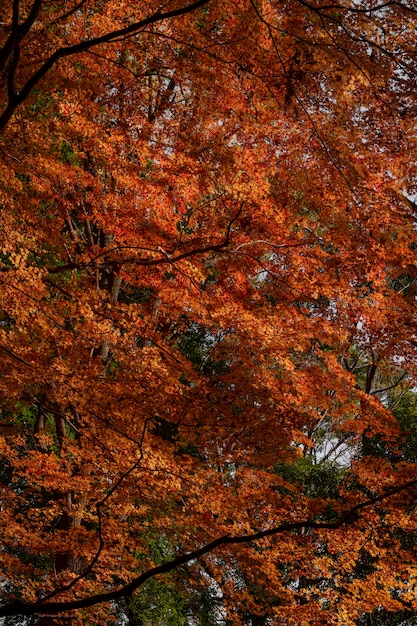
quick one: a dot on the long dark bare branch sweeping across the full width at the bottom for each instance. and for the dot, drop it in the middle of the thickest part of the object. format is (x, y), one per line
(54, 608)
